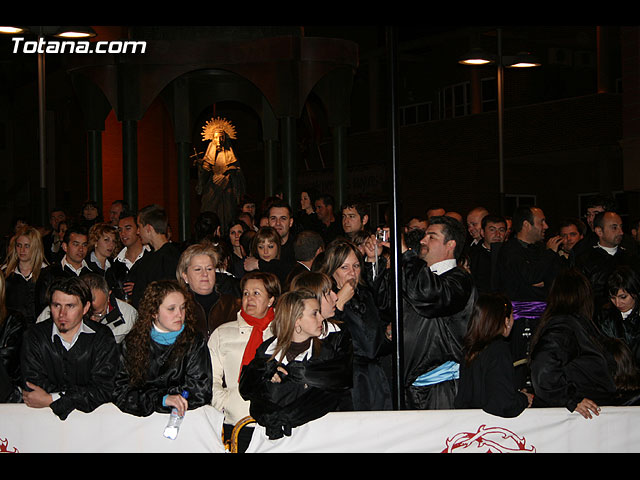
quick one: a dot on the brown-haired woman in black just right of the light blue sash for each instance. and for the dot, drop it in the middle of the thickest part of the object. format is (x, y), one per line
(486, 374)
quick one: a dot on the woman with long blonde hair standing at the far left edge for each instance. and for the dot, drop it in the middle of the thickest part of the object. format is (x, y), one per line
(25, 261)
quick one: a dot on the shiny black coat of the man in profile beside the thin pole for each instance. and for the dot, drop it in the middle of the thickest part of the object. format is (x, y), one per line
(436, 313)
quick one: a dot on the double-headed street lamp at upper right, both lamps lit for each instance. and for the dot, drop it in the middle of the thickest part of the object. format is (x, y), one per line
(522, 60)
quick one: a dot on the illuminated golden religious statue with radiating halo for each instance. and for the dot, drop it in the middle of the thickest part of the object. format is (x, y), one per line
(220, 179)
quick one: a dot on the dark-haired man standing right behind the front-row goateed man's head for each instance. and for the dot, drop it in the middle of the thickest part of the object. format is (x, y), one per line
(74, 245)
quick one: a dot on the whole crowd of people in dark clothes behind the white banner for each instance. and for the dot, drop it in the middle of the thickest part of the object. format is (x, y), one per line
(286, 313)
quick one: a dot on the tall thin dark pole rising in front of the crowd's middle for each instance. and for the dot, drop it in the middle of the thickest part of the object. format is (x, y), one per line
(397, 329)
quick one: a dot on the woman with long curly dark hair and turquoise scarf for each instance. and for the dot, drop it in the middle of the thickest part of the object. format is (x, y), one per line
(163, 355)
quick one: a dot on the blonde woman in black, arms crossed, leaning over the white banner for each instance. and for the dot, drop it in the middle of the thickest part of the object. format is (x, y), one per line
(301, 373)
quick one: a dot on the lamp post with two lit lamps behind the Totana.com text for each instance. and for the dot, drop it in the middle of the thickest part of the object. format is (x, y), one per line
(42, 32)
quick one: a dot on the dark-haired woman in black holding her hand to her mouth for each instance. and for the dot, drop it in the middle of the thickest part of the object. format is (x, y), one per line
(359, 315)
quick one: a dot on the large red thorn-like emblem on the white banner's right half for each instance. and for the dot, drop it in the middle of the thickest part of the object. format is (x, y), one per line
(488, 440)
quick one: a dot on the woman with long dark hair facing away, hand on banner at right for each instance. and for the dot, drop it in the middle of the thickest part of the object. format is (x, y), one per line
(569, 365)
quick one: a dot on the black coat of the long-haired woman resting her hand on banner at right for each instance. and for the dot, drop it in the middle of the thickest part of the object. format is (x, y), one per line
(568, 364)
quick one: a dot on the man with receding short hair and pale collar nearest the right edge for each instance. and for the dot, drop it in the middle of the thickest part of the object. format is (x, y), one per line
(600, 260)
